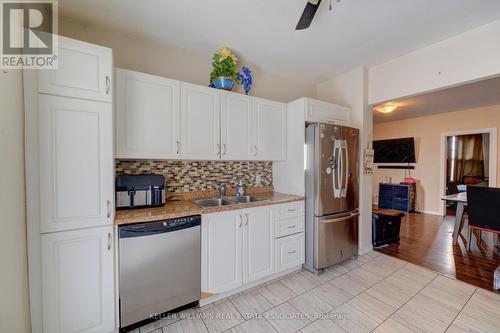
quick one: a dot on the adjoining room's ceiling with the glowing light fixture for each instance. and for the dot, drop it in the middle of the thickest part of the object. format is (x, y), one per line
(468, 96)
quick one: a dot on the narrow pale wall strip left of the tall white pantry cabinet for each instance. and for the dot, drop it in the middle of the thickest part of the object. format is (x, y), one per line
(14, 305)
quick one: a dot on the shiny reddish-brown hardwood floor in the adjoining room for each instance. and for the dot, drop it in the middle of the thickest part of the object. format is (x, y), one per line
(426, 240)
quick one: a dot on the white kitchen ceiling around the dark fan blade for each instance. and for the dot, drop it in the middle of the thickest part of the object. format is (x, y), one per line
(355, 33)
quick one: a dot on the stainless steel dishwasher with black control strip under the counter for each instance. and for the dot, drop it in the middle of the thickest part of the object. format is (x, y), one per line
(160, 267)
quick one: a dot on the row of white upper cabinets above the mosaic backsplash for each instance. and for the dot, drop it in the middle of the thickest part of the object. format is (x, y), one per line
(158, 118)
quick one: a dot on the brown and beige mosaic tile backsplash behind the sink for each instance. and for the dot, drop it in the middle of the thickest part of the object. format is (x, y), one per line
(185, 176)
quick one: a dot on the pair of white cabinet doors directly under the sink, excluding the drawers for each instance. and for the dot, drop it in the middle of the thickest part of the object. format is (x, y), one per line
(238, 247)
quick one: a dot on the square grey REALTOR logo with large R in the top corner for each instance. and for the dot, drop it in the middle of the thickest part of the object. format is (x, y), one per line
(29, 34)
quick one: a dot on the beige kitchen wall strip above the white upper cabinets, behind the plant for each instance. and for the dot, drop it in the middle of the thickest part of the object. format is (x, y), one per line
(142, 55)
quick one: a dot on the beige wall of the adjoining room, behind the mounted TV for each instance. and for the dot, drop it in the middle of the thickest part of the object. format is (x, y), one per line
(427, 131)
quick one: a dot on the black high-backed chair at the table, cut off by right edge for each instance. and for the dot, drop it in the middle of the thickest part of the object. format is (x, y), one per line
(483, 204)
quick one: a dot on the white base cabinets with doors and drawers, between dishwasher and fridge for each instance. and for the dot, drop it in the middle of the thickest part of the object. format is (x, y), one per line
(241, 246)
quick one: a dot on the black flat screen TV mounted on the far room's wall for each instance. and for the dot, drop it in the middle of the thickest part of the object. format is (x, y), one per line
(394, 151)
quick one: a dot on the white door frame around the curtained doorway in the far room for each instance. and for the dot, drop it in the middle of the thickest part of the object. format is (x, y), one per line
(442, 160)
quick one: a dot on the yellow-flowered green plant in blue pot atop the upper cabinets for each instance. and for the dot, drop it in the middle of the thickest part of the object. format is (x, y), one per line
(223, 75)
